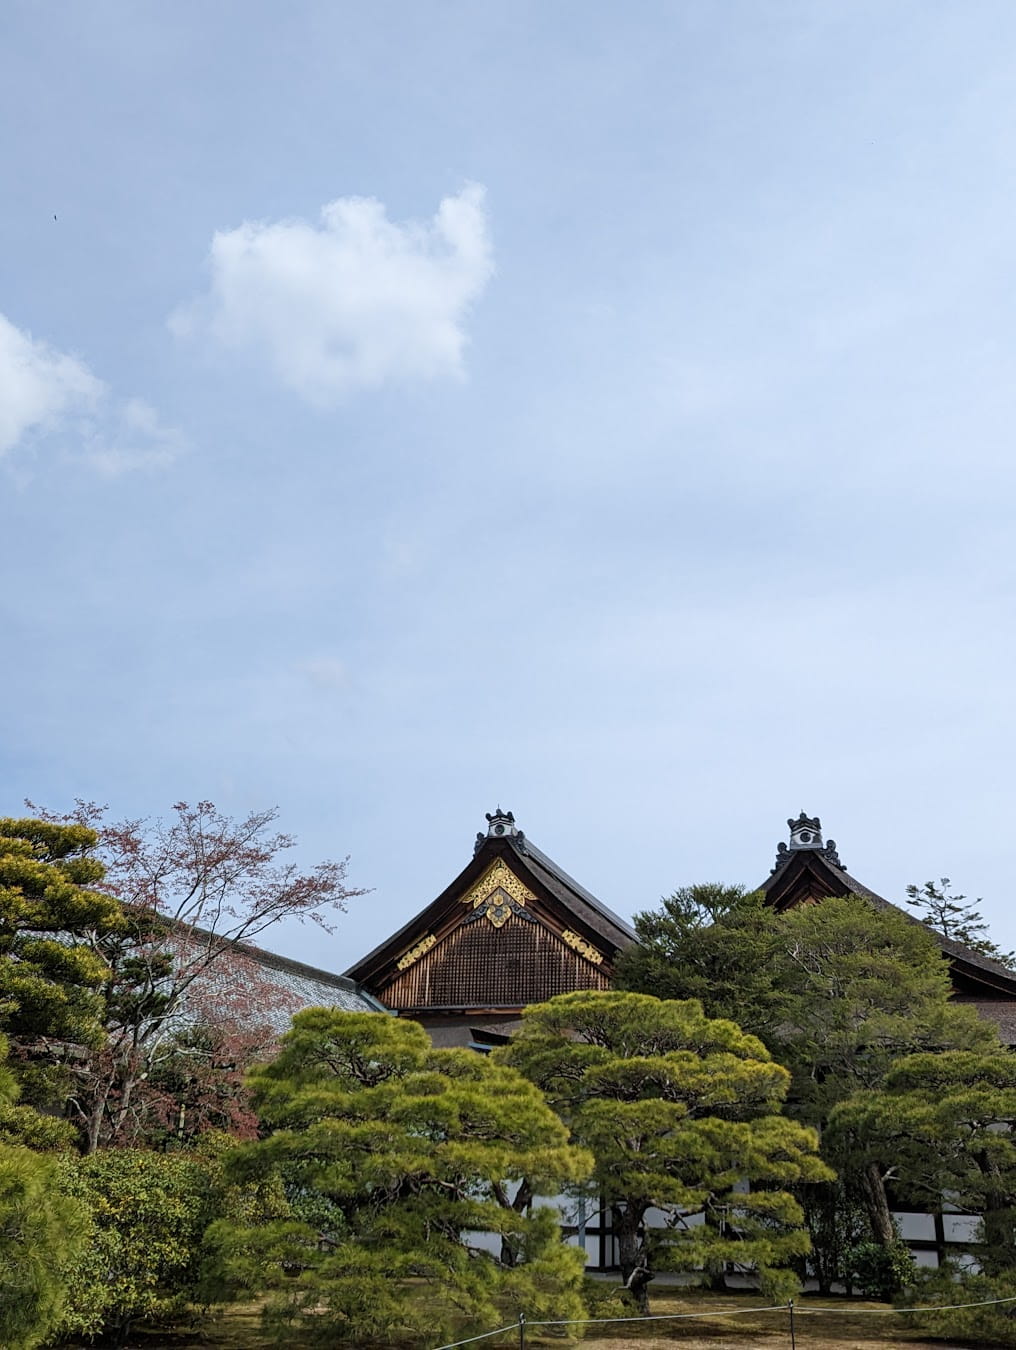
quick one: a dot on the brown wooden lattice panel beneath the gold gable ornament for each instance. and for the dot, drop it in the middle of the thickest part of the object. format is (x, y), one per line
(481, 966)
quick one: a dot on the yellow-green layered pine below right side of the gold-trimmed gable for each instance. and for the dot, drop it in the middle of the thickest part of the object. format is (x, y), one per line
(682, 1114)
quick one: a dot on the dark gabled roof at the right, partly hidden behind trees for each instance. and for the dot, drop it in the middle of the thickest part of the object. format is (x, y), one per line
(809, 870)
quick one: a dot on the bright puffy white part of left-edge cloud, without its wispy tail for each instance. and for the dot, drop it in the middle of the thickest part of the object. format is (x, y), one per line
(40, 387)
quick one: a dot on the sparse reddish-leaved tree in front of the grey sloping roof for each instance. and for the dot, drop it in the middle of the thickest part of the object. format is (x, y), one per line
(188, 1008)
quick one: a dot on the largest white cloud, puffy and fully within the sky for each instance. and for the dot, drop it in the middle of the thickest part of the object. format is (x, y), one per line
(353, 303)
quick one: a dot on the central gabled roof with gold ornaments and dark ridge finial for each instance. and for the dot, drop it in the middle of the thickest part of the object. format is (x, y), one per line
(547, 916)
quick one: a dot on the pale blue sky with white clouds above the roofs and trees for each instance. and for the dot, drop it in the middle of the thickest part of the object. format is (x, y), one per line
(600, 411)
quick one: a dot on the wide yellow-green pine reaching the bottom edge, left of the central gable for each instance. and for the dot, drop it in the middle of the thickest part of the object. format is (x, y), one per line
(401, 1164)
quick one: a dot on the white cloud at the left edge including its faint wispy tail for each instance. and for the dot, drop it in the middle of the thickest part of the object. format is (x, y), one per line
(43, 391)
